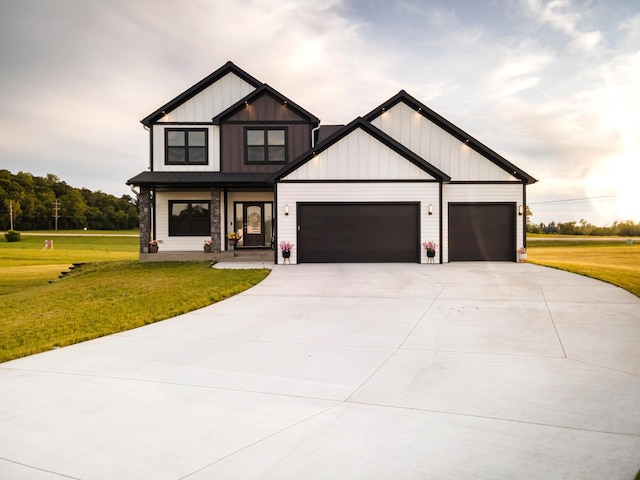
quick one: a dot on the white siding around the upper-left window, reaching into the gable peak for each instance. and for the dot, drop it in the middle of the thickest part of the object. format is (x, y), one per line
(201, 108)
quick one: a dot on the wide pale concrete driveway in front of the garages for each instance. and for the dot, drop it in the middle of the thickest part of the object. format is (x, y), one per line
(350, 371)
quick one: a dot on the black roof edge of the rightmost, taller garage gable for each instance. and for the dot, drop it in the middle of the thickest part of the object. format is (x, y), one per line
(450, 128)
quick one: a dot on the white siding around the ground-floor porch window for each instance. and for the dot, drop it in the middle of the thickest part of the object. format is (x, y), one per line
(179, 244)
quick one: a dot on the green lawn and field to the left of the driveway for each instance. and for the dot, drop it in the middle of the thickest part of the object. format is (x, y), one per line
(112, 293)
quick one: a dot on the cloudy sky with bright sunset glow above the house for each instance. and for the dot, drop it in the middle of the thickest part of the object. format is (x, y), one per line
(553, 86)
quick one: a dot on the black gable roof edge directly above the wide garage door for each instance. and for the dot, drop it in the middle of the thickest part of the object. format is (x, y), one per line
(374, 132)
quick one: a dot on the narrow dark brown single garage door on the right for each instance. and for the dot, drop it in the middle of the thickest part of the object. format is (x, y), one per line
(482, 231)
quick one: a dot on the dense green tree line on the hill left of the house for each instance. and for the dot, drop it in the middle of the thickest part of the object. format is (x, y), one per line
(38, 203)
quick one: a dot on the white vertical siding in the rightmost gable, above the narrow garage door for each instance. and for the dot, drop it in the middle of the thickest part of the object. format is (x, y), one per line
(438, 147)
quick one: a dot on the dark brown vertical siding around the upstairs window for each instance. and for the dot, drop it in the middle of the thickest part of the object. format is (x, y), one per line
(265, 111)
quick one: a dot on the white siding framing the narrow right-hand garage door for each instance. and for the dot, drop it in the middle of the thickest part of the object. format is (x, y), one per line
(480, 193)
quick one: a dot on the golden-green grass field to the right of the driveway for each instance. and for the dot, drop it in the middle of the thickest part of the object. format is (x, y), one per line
(615, 262)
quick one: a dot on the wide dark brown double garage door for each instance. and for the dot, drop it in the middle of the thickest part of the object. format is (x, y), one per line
(358, 232)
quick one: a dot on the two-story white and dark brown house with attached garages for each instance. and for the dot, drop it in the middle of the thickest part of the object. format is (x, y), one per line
(233, 155)
